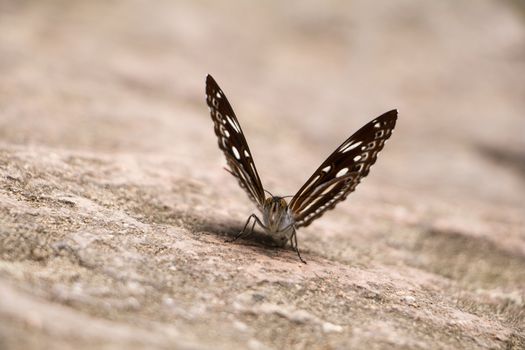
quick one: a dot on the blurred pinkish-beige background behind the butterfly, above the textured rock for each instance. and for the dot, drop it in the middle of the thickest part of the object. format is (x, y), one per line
(128, 76)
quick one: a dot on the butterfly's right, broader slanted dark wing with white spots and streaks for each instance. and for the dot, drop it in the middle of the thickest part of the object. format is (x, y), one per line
(342, 171)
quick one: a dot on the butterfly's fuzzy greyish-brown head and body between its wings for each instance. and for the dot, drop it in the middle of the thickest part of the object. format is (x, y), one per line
(277, 216)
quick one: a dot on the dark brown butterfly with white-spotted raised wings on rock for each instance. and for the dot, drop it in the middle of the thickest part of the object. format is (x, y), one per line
(335, 178)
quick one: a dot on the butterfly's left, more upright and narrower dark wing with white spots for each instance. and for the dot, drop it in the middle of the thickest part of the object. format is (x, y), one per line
(232, 142)
